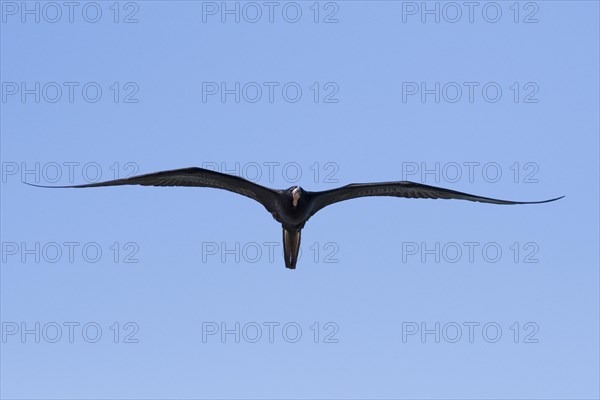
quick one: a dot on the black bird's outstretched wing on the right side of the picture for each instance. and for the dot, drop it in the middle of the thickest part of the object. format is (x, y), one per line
(405, 189)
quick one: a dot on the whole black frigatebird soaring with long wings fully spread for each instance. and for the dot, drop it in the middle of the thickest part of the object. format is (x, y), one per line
(294, 206)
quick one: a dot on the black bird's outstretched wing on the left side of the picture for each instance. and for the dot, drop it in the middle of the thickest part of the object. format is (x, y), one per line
(198, 177)
